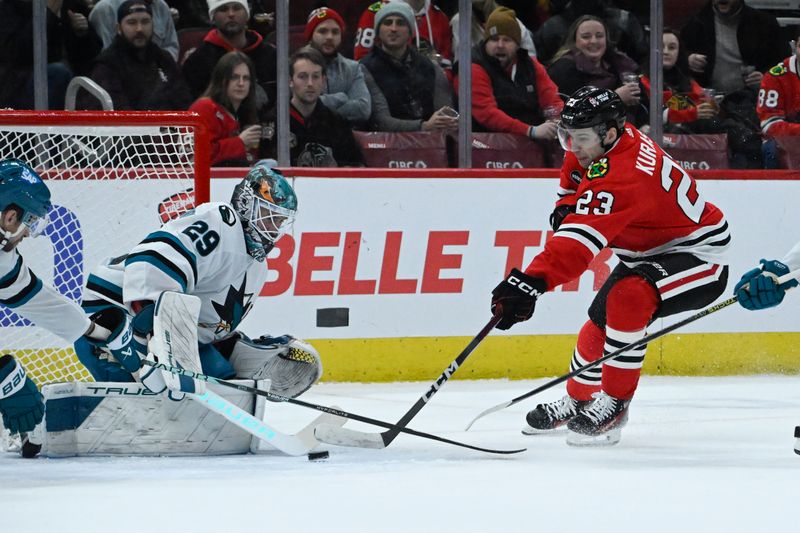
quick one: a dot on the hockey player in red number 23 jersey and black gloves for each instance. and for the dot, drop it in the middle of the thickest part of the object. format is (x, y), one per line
(618, 189)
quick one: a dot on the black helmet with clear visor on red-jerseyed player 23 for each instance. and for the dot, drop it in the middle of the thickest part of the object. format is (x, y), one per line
(587, 117)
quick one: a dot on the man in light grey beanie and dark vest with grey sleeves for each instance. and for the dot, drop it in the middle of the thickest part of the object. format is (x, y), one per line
(409, 91)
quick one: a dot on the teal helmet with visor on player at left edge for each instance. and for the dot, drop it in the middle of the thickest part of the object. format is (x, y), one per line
(23, 188)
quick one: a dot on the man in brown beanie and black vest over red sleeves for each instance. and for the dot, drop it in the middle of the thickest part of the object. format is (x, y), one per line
(511, 91)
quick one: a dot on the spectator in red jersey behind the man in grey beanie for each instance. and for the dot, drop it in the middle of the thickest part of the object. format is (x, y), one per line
(432, 33)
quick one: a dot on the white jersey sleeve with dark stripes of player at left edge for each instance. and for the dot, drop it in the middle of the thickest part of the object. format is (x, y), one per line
(23, 292)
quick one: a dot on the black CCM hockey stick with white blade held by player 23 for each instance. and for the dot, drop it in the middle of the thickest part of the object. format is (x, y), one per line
(348, 437)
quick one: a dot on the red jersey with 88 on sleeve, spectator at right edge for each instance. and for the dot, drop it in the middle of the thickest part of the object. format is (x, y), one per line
(779, 99)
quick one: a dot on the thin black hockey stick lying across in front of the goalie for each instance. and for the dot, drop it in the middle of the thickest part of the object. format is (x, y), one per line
(330, 410)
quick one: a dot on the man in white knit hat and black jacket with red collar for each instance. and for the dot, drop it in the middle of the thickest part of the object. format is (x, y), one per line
(230, 33)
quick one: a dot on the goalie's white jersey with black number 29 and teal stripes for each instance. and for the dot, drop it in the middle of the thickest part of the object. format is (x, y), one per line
(202, 253)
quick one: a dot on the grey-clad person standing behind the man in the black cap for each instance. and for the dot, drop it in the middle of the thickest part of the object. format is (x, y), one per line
(103, 19)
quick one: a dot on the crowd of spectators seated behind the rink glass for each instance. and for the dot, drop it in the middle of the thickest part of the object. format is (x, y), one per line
(728, 70)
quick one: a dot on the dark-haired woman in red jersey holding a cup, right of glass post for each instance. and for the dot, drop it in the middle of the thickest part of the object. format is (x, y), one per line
(684, 100)
